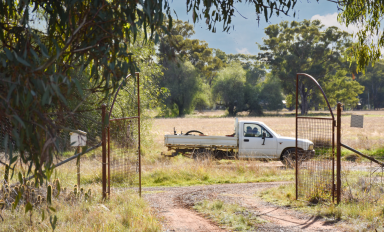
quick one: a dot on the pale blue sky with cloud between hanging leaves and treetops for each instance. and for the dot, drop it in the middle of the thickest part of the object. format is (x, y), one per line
(247, 31)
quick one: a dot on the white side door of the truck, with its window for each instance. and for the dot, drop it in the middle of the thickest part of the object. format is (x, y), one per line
(252, 145)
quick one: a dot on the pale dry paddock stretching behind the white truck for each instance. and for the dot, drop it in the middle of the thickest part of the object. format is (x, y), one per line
(369, 139)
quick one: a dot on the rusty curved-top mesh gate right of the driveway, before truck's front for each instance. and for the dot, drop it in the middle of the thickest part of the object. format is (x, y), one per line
(315, 173)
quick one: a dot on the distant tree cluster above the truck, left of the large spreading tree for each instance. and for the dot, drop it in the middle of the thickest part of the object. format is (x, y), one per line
(199, 77)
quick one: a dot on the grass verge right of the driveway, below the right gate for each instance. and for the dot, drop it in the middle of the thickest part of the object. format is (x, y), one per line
(362, 213)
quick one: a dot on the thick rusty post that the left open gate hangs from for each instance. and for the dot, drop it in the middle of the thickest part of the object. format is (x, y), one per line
(104, 151)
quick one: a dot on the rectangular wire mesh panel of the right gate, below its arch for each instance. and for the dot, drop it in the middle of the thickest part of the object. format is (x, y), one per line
(316, 174)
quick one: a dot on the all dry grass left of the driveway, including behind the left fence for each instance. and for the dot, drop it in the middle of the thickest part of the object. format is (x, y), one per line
(123, 211)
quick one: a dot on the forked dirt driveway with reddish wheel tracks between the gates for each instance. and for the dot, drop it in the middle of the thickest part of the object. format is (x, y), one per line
(174, 205)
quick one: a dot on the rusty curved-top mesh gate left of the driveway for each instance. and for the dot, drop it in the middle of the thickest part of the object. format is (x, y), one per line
(121, 147)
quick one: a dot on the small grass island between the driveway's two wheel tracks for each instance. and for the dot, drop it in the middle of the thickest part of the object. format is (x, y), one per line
(231, 216)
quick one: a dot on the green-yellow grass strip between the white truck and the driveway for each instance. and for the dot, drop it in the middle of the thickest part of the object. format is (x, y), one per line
(184, 171)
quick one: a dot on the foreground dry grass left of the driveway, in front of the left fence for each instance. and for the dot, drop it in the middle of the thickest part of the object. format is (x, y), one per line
(122, 212)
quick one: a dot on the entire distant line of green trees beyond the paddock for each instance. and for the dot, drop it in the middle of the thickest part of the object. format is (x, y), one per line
(196, 76)
